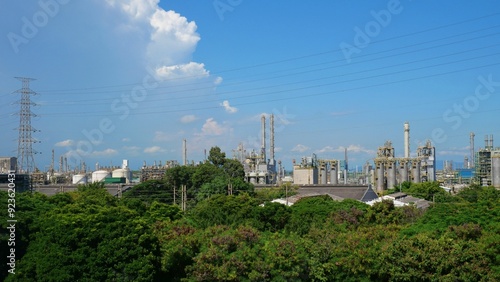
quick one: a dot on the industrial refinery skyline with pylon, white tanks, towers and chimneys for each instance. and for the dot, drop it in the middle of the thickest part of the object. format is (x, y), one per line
(260, 165)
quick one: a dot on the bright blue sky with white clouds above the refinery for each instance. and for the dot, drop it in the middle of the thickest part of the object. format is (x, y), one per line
(131, 79)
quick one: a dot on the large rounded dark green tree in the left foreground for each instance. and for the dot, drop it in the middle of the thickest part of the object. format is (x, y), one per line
(92, 238)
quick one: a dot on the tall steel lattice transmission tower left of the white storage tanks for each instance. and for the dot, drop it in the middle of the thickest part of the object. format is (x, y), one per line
(25, 152)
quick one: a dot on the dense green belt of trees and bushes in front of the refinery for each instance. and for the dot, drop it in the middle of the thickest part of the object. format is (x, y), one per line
(89, 235)
